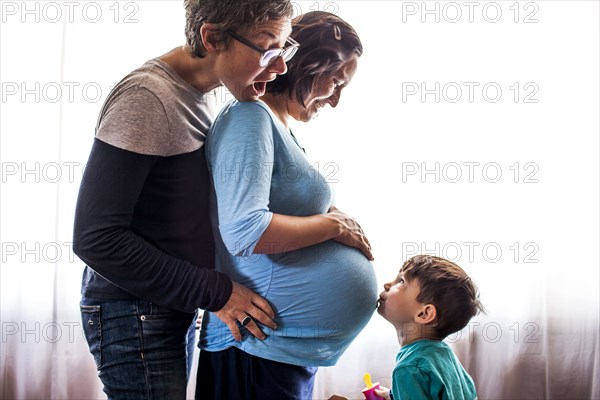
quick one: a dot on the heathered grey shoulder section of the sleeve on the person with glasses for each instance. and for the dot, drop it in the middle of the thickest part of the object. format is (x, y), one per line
(136, 121)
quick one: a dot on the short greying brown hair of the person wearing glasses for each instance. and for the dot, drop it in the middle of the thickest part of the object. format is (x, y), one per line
(237, 15)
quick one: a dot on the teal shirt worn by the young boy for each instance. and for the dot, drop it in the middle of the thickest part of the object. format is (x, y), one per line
(428, 369)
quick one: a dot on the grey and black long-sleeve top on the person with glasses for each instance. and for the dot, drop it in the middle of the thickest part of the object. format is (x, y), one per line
(141, 223)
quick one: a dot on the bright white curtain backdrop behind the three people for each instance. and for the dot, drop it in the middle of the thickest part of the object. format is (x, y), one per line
(470, 131)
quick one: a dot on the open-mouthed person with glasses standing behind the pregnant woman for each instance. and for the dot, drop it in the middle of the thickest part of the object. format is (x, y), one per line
(142, 224)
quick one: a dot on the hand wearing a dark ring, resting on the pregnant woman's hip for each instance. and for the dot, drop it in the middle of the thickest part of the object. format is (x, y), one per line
(244, 303)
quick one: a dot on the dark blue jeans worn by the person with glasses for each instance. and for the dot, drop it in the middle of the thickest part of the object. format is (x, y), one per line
(142, 351)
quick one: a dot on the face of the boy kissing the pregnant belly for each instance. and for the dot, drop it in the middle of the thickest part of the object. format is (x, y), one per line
(398, 302)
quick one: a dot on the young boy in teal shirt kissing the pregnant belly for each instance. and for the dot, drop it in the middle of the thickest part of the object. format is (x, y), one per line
(430, 299)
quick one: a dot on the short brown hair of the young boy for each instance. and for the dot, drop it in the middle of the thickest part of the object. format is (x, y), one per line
(446, 286)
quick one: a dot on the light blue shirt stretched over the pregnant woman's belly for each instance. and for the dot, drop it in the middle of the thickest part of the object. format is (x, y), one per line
(323, 295)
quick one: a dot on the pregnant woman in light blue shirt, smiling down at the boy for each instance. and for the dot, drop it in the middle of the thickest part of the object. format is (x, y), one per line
(278, 233)
